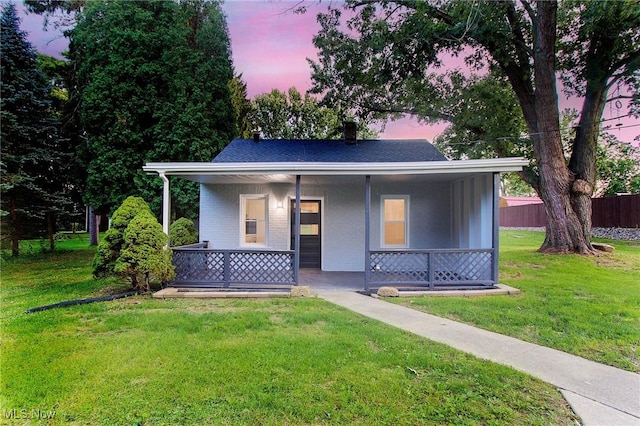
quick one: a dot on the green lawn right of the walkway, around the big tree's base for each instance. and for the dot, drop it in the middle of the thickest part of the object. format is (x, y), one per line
(587, 306)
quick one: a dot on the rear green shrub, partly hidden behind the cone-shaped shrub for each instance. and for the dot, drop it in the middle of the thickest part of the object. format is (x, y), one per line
(110, 246)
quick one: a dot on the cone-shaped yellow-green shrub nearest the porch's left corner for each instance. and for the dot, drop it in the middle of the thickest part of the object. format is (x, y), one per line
(143, 257)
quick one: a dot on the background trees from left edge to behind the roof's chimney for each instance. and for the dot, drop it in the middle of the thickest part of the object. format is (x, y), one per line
(141, 81)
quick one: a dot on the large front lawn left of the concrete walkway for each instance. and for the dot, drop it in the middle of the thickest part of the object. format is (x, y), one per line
(278, 361)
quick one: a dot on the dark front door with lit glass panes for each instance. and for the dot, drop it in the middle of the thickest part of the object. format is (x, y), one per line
(310, 247)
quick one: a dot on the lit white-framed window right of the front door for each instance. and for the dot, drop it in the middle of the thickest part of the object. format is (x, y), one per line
(394, 223)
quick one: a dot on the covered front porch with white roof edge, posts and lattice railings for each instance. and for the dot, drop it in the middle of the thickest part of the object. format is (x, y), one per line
(457, 250)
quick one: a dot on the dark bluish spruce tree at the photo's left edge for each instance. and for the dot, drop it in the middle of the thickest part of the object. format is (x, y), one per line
(31, 189)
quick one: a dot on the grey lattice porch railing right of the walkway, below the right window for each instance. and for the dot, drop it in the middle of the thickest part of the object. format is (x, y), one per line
(431, 268)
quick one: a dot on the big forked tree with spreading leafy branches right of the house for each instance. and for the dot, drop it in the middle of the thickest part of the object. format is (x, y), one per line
(386, 63)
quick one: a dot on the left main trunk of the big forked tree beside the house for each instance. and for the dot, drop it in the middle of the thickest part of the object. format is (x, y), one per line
(564, 232)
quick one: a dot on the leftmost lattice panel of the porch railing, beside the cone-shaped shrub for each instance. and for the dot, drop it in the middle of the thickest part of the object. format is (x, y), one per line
(199, 265)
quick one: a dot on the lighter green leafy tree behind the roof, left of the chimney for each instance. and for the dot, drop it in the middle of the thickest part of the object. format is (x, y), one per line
(291, 116)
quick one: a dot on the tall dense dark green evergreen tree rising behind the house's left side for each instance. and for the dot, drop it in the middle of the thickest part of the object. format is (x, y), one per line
(152, 81)
